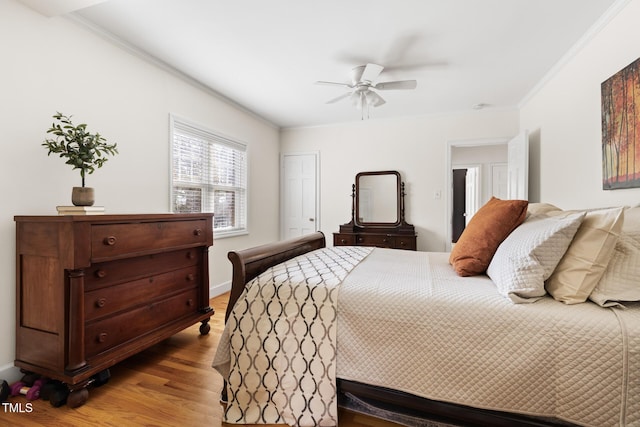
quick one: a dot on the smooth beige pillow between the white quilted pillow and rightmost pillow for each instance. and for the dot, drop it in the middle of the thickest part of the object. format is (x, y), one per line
(584, 263)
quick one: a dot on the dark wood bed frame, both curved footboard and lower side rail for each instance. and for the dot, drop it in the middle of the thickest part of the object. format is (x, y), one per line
(249, 263)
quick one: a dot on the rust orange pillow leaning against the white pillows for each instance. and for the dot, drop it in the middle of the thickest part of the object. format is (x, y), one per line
(479, 241)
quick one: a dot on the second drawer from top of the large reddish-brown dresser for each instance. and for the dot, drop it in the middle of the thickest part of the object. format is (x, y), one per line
(108, 273)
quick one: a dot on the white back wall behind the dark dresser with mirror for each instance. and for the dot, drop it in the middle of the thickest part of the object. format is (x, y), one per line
(416, 147)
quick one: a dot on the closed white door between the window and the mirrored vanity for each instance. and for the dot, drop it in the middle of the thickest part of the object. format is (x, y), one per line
(299, 182)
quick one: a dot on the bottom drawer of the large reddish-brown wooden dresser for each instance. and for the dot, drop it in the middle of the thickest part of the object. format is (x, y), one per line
(105, 334)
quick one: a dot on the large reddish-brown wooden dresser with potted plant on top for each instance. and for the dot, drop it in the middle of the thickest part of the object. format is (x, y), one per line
(94, 290)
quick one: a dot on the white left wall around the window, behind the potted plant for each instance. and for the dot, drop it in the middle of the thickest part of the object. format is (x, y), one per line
(51, 64)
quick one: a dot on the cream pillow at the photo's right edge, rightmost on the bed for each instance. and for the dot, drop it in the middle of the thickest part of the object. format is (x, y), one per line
(620, 281)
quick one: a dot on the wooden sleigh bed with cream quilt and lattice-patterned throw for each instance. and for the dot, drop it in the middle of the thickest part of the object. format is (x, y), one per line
(412, 337)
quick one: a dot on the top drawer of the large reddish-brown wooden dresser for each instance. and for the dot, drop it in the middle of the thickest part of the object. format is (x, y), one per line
(117, 240)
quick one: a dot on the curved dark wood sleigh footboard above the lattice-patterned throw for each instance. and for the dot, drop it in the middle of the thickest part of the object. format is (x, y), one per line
(249, 263)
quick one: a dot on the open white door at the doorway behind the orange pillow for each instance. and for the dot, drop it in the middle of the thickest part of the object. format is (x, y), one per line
(518, 167)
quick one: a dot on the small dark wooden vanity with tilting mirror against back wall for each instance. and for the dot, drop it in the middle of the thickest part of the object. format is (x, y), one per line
(377, 213)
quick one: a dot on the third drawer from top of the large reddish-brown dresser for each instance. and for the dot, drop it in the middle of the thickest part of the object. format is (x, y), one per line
(105, 301)
